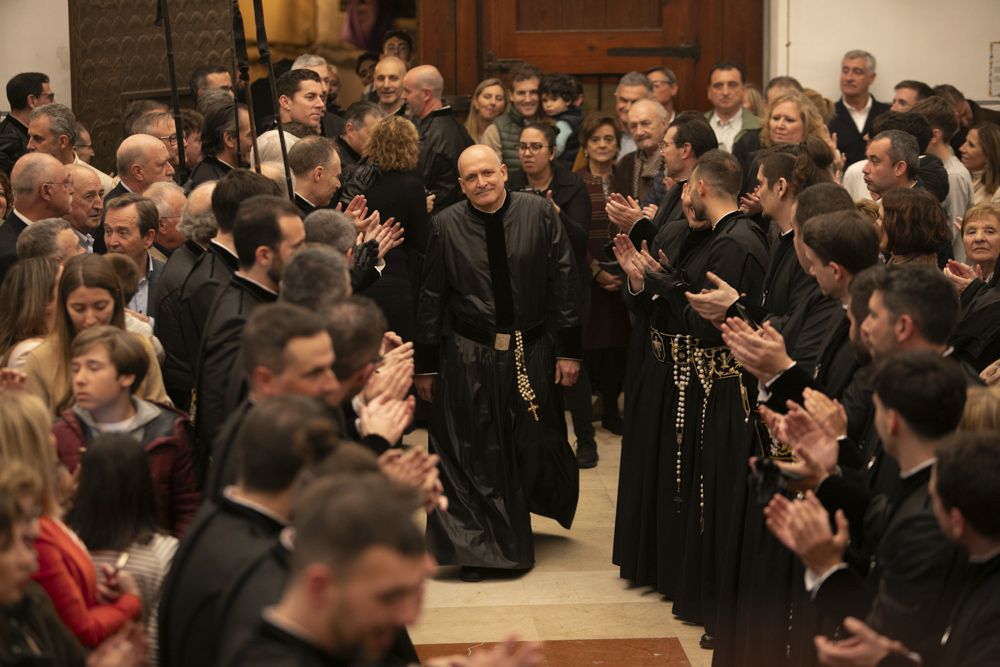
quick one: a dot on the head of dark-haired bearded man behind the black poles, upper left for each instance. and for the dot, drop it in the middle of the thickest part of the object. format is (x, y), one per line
(219, 144)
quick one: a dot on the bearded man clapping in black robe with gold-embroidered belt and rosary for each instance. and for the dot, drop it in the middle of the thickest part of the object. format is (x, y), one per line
(716, 432)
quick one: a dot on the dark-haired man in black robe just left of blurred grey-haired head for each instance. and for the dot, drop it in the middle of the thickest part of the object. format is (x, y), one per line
(267, 232)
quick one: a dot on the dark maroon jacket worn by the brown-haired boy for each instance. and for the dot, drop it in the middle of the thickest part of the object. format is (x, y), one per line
(163, 434)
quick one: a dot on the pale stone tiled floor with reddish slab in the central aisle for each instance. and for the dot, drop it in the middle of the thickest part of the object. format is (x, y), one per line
(573, 593)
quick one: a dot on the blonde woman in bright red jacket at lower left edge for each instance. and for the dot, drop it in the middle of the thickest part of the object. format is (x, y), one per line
(65, 569)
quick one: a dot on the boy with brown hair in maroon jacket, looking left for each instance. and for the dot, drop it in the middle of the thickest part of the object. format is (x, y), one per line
(107, 366)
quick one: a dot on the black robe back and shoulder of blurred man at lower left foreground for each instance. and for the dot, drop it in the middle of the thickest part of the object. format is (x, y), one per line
(221, 539)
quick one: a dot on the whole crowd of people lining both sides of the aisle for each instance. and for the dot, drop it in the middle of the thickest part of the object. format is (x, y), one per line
(785, 307)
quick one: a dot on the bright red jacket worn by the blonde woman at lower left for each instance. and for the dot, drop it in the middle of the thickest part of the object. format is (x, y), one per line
(67, 574)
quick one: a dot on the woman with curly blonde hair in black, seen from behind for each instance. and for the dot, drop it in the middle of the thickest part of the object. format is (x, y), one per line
(396, 191)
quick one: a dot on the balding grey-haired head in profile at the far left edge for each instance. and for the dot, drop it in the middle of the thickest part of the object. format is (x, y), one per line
(42, 186)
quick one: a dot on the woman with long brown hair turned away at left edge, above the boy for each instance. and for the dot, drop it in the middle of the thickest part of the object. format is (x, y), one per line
(27, 308)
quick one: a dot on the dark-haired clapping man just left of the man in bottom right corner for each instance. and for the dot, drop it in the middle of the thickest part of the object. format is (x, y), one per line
(903, 590)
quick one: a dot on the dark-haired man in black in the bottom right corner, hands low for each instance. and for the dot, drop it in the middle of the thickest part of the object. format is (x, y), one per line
(966, 500)
